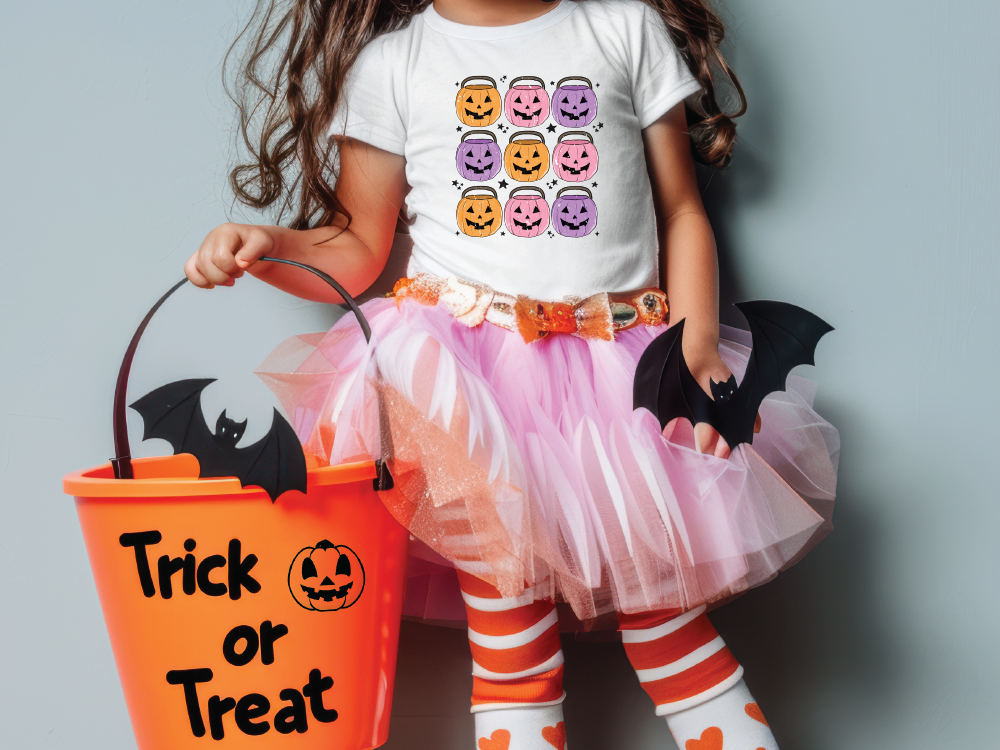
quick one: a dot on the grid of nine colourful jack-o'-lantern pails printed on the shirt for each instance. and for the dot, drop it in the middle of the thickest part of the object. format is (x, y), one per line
(526, 212)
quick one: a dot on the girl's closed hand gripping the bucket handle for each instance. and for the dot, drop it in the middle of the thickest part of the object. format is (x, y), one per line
(227, 252)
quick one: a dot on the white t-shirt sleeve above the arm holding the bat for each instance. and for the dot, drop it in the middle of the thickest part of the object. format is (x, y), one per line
(660, 77)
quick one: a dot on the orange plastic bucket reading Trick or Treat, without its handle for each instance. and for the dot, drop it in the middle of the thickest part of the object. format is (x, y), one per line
(245, 623)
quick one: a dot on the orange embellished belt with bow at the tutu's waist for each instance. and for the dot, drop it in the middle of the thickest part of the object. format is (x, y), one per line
(599, 316)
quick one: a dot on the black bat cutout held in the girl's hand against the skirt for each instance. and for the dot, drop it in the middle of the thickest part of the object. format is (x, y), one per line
(783, 336)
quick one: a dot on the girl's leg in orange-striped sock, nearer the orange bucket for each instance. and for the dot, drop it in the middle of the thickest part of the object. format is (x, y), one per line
(516, 669)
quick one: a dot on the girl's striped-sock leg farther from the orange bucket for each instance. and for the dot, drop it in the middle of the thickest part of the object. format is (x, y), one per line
(694, 680)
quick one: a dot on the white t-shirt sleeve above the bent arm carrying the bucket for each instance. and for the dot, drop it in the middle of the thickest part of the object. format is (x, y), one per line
(372, 105)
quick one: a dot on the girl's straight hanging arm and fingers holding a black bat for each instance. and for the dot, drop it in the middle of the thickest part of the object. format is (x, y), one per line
(689, 263)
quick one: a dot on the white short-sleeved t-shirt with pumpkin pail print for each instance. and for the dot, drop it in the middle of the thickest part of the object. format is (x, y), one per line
(522, 143)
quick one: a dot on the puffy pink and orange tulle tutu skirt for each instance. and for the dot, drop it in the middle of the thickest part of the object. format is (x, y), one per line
(526, 465)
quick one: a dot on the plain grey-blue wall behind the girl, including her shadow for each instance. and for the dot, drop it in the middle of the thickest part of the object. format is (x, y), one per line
(865, 188)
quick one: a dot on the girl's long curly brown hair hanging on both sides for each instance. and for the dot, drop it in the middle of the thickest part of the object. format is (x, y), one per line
(292, 59)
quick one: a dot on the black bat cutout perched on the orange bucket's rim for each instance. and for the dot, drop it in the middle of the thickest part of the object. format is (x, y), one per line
(274, 463)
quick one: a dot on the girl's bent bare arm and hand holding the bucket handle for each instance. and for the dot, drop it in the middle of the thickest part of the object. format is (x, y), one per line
(371, 186)
